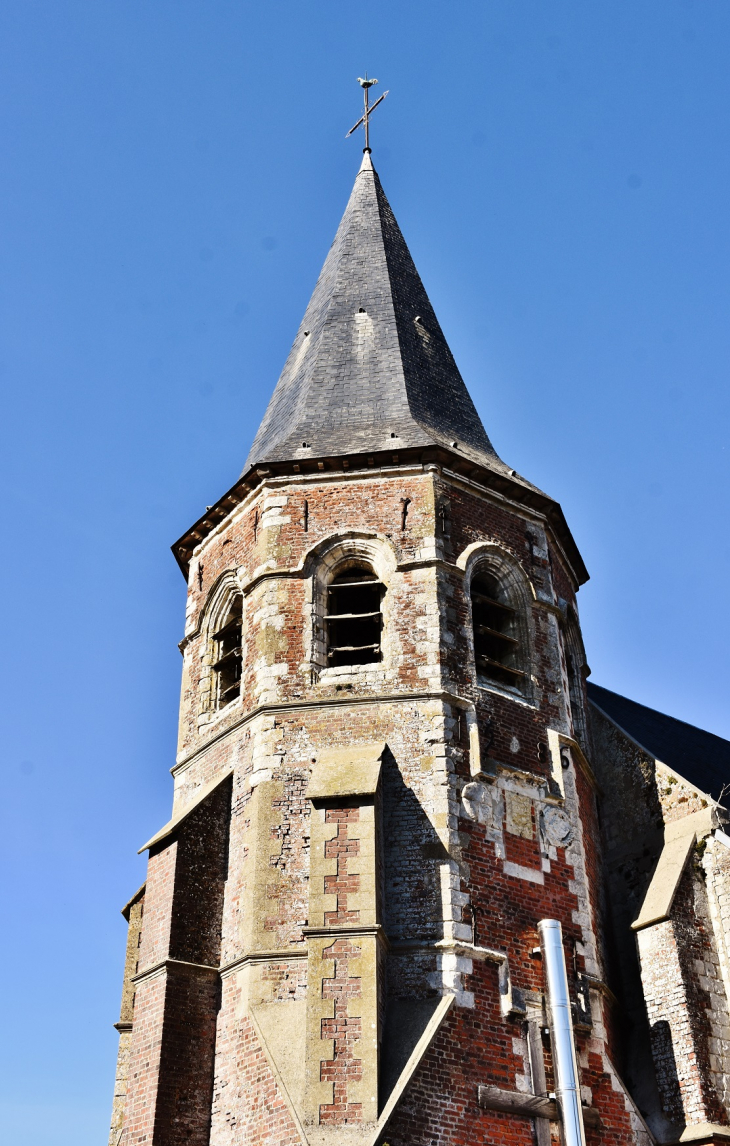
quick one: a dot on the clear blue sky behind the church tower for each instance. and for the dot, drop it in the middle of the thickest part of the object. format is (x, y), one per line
(174, 174)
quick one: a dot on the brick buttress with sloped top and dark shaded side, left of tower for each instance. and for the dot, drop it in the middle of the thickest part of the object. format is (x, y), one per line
(171, 1057)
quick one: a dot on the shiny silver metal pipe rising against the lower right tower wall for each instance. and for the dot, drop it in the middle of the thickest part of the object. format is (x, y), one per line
(564, 1062)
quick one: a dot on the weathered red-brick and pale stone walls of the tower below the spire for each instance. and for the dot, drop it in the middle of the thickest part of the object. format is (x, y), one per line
(460, 897)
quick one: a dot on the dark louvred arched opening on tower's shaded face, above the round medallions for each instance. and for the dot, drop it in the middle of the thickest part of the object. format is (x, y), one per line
(498, 643)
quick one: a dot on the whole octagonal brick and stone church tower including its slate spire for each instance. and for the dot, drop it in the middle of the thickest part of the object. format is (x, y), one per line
(383, 782)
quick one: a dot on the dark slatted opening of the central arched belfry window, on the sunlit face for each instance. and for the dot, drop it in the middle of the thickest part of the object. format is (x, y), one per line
(354, 617)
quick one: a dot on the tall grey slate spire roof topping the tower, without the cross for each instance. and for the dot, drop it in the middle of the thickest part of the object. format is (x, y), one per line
(370, 368)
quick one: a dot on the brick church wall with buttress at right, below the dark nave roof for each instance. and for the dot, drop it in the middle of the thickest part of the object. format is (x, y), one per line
(672, 976)
